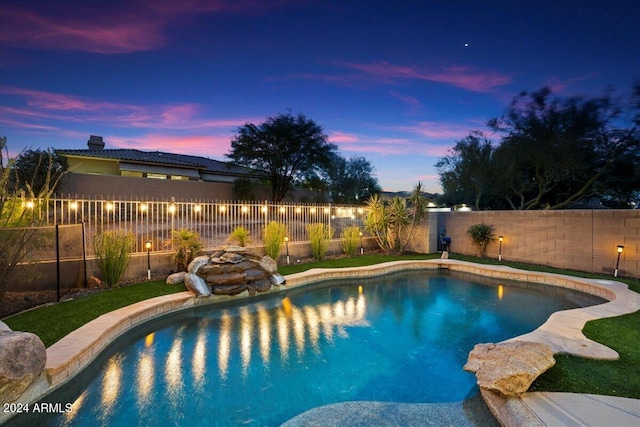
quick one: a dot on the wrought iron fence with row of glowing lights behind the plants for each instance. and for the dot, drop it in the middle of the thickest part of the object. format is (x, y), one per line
(154, 220)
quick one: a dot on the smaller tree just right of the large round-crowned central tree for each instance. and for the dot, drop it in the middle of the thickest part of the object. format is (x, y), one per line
(351, 181)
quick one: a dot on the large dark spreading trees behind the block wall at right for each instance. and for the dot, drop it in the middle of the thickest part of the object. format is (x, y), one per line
(553, 153)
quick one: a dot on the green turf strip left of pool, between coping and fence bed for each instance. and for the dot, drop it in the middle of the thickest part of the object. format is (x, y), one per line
(53, 322)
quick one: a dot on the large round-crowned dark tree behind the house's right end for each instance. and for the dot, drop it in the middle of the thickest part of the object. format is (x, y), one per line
(287, 148)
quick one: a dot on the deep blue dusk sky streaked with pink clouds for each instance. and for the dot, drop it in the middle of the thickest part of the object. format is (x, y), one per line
(397, 82)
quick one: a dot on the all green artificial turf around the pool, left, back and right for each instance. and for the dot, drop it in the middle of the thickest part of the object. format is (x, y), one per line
(570, 374)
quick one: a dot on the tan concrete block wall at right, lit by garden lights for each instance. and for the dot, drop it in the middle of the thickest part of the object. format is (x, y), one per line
(583, 240)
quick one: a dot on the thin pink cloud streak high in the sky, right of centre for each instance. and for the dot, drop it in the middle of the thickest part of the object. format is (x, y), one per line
(458, 76)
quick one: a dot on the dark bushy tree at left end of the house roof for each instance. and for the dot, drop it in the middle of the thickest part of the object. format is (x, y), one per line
(38, 171)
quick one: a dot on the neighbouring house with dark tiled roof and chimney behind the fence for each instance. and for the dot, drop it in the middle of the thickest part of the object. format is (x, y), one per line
(97, 172)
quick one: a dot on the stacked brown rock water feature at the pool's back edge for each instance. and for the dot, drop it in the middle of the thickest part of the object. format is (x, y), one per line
(229, 271)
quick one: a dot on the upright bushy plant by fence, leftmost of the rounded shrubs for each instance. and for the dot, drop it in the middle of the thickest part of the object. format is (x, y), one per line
(113, 252)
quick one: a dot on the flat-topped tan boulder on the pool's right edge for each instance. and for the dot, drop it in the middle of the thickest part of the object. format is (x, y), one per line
(509, 368)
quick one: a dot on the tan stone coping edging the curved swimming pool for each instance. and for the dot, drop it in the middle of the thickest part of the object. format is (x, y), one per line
(562, 331)
